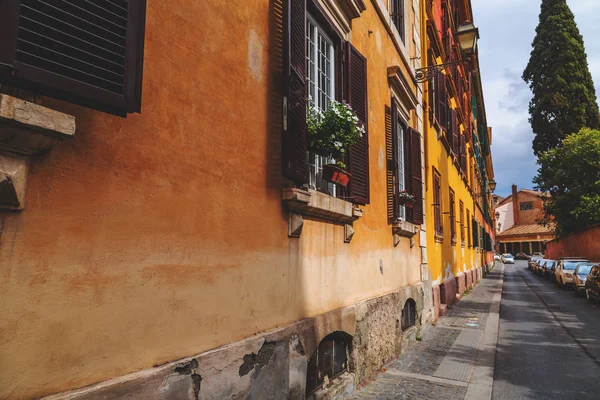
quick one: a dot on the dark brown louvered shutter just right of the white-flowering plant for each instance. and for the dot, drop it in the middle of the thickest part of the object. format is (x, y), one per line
(356, 67)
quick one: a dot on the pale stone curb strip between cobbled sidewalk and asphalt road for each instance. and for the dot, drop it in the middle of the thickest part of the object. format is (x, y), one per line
(482, 381)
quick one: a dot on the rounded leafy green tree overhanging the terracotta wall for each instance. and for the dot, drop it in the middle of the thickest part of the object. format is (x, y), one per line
(571, 175)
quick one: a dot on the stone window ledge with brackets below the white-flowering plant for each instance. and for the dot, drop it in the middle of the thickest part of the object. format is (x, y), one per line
(320, 206)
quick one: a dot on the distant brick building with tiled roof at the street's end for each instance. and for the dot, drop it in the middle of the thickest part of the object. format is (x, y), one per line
(517, 227)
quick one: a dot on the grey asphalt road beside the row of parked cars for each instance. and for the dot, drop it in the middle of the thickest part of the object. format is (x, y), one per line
(549, 341)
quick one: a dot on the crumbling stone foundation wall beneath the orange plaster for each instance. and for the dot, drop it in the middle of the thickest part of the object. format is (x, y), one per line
(273, 365)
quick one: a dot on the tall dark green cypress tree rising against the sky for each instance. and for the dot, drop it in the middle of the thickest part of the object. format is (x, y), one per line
(564, 98)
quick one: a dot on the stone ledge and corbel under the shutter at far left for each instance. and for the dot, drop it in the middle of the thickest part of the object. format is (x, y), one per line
(26, 129)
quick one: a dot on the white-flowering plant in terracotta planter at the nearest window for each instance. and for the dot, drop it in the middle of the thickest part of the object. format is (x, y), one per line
(331, 134)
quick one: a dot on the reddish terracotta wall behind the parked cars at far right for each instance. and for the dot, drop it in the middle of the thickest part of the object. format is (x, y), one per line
(583, 244)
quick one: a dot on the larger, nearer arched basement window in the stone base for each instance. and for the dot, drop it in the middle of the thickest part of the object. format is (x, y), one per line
(329, 360)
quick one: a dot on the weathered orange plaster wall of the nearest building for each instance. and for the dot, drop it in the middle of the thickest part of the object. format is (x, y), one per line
(162, 235)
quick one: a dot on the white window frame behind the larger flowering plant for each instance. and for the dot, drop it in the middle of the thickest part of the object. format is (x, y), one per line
(316, 162)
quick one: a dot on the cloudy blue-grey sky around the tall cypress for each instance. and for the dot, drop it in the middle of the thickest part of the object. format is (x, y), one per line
(507, 29)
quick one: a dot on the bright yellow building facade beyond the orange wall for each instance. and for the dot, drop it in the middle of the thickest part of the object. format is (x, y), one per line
(458, 165)
